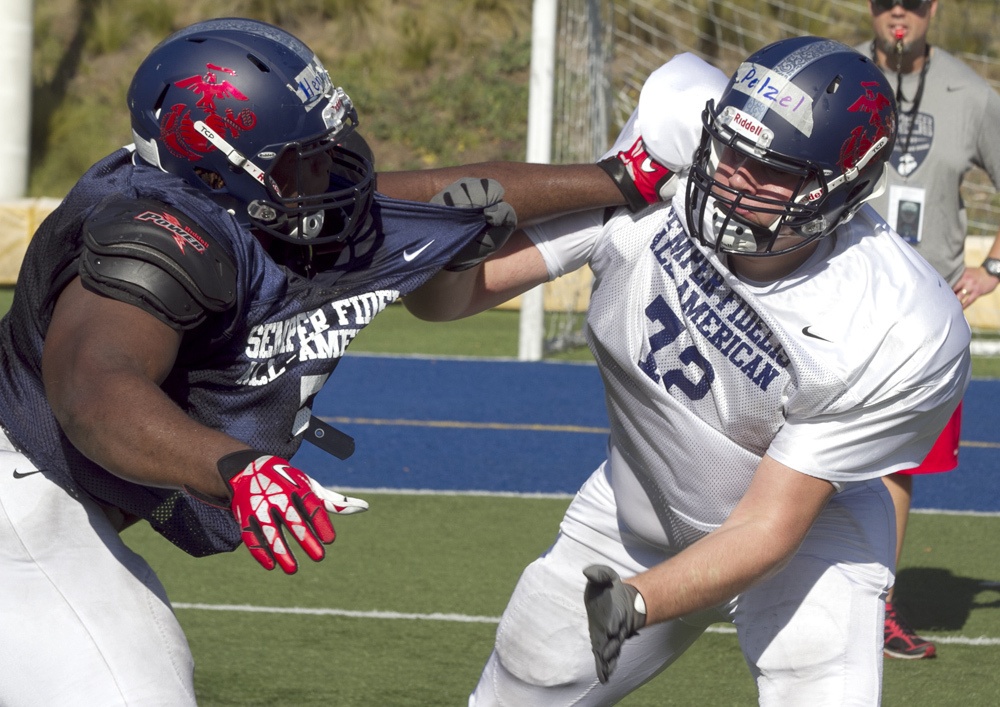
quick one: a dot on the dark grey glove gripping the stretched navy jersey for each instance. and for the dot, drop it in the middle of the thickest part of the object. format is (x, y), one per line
(475, 192)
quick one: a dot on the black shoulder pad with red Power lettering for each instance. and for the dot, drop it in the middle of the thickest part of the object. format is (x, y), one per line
(153, 256)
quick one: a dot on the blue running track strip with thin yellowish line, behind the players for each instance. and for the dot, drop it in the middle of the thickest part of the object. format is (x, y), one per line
(508, 426)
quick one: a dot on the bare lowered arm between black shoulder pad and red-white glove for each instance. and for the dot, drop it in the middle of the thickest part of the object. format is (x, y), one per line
(102, 366)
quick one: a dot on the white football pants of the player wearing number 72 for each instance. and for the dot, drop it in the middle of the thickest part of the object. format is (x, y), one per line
(811, 635)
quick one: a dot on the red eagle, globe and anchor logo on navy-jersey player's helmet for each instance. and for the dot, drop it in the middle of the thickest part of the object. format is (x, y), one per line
(177, 130)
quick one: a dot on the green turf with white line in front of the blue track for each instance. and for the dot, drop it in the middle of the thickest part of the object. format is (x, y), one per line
(417, 556)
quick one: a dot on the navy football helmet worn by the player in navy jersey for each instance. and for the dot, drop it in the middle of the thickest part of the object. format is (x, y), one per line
(247, 113)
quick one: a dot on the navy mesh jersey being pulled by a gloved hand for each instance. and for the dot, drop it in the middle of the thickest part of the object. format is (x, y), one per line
(252, 371)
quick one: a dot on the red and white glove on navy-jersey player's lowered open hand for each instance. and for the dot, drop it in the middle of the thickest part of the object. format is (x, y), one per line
(268, 493)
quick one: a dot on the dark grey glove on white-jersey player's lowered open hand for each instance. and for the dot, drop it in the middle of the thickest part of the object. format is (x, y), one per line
(615, 611)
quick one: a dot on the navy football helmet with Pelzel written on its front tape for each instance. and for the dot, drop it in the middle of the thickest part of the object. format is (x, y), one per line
(808, 107)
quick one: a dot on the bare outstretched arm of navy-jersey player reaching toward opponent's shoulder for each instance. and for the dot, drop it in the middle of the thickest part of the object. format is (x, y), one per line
(536, 191)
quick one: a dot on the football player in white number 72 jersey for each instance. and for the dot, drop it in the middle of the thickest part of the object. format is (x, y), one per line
(770, 349)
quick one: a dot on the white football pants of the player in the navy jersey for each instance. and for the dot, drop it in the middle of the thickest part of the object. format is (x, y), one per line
(83, 619)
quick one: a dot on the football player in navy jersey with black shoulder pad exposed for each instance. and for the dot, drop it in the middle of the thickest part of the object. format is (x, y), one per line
(173, 320)
